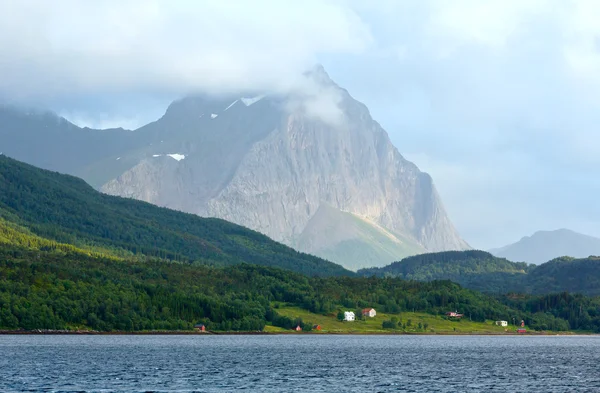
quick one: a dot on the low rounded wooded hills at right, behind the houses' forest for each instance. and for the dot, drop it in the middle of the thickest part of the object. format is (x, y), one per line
(484, 272)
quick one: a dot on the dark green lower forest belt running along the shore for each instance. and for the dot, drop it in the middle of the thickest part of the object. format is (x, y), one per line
(54, 289)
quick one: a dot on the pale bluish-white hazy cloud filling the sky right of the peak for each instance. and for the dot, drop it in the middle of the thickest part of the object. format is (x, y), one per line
(499, 100)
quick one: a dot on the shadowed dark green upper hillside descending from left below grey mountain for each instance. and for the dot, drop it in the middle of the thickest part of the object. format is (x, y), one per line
(65, 209)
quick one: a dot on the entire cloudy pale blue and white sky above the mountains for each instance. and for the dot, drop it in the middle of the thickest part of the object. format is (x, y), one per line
(498, 100)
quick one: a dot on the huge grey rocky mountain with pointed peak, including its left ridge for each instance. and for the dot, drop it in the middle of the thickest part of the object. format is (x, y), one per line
(309, 168)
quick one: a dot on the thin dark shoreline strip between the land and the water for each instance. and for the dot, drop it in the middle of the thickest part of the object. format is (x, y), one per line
(292, 333)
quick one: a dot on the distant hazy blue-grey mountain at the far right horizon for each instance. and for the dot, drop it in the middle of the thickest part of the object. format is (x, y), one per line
(543, 246)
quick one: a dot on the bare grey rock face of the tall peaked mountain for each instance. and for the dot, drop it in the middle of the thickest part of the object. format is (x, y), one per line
(272, 164)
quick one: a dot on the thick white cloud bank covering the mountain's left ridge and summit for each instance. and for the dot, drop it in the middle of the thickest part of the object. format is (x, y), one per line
(68, 46)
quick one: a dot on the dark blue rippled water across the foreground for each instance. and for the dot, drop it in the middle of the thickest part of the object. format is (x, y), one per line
(299, 363)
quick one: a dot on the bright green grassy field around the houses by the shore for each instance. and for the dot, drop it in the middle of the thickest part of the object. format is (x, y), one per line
(429, 324)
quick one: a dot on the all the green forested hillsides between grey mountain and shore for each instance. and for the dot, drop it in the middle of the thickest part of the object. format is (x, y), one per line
(72, 258)
